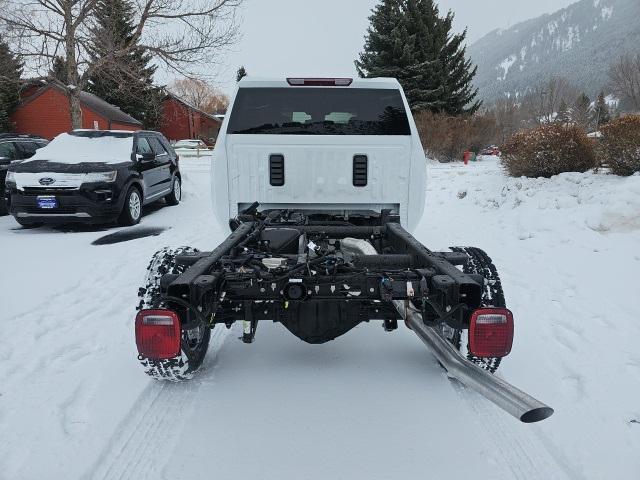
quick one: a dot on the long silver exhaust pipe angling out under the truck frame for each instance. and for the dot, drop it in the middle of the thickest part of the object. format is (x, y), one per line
(512, 400)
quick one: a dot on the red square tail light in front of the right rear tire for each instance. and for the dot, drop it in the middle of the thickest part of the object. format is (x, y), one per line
(491, 332)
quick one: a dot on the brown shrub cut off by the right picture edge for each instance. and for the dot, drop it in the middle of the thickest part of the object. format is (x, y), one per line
(620, 145)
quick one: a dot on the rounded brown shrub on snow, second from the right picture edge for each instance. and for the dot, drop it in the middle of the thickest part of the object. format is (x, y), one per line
(548, 150)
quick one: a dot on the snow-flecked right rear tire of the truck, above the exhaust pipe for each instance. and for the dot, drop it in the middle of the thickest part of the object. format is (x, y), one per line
(492, 296)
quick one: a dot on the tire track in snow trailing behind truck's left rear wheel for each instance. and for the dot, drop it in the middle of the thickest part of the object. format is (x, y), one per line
(144, 439)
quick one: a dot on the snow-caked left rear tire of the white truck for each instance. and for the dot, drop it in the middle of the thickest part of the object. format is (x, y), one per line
(195, 341)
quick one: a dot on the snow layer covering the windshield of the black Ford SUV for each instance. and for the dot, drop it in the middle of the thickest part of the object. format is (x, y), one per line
(74, 149)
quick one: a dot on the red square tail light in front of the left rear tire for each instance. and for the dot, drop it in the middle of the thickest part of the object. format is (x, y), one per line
(158, 334)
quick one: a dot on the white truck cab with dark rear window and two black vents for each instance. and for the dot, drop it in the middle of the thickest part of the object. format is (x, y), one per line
(340, 147)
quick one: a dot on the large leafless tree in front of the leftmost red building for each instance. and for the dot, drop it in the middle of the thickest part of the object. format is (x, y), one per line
(180, 34)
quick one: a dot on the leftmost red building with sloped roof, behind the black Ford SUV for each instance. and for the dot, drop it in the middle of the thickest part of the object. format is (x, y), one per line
(45, 111)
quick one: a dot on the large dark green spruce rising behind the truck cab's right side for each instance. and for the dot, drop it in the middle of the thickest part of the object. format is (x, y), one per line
(410, 41)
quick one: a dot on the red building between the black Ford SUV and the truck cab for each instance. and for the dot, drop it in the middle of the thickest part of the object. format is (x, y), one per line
(182, 121)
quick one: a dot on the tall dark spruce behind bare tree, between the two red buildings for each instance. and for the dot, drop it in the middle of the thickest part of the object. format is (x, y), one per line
(126, 82)
